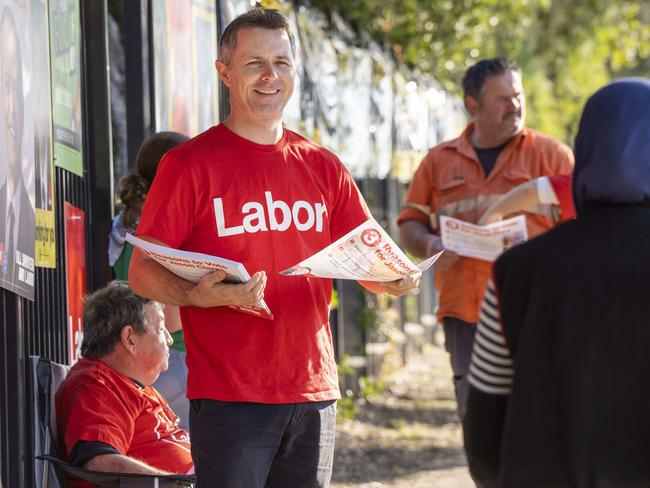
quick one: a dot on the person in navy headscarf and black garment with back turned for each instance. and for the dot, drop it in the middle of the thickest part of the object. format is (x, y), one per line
(560, 373)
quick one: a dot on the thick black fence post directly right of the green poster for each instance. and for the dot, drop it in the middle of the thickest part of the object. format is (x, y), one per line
(97, 148)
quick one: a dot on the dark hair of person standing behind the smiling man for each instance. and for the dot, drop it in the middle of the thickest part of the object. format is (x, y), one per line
(134, 186)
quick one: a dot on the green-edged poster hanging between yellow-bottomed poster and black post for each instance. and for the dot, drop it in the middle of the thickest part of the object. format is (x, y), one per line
(65, 45)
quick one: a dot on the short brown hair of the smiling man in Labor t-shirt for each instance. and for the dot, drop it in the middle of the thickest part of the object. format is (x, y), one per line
(258, 17)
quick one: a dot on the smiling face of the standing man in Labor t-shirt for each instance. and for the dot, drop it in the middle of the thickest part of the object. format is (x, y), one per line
(260, 75)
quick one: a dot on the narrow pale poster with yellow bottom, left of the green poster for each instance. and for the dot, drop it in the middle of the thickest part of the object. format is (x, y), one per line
(45, 252)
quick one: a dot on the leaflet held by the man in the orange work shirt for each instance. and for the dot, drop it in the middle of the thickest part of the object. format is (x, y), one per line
(482, 241)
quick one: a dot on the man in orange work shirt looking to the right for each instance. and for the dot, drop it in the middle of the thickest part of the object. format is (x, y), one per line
(461, 178)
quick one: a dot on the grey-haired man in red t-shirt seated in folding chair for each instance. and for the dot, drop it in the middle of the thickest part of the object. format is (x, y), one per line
(109, 417)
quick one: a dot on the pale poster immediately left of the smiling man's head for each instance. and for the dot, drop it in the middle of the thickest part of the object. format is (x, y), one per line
(205, 101)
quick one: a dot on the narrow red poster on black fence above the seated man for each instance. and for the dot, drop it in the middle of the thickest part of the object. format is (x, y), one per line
(75, 270)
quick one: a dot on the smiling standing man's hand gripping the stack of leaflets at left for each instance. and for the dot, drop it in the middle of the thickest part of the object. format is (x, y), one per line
(210, 291)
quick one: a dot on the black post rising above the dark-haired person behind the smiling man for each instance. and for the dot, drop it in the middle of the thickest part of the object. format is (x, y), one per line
(138, 79)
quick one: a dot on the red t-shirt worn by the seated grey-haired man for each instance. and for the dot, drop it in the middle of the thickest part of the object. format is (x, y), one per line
(96, 403)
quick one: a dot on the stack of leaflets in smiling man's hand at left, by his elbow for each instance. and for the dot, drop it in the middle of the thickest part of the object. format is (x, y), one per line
(191, 266)
